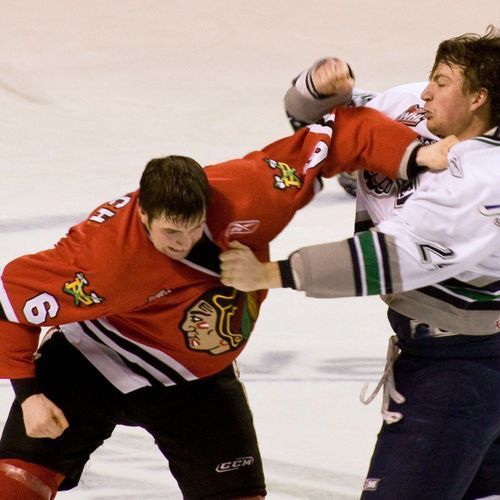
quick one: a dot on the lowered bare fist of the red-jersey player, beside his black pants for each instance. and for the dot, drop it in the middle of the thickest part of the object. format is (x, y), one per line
(42, 418)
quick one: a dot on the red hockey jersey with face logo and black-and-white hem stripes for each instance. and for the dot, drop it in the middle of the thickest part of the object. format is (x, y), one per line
(142, 318)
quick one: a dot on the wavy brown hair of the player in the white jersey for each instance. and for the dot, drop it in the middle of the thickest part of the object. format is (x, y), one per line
(479, 58)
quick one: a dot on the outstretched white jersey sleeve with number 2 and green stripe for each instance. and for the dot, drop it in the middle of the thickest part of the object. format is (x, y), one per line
(438, 234)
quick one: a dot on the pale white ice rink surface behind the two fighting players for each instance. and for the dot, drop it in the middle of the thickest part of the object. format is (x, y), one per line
(90, 91)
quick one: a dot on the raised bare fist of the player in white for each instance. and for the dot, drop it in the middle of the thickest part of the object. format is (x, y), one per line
(332, 77)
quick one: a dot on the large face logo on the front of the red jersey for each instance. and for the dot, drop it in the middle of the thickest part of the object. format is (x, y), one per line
(219, 321)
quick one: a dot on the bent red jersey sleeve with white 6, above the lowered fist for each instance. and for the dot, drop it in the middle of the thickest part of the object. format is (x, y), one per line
(48, 288)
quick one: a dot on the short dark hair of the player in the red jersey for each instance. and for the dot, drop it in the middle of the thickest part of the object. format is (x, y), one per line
(176, 187)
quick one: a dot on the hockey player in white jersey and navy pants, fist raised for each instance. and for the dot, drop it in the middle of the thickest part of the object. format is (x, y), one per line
(433, 254)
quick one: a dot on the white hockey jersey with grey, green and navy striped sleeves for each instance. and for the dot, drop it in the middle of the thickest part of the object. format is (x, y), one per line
(434, 253)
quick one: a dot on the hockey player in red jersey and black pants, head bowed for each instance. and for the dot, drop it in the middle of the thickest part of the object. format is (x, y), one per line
(143, 331)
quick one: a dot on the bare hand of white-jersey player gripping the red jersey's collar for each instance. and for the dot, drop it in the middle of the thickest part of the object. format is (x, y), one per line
(241, 269)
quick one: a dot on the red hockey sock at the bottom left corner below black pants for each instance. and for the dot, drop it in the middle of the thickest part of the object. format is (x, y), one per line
(20, 479)
